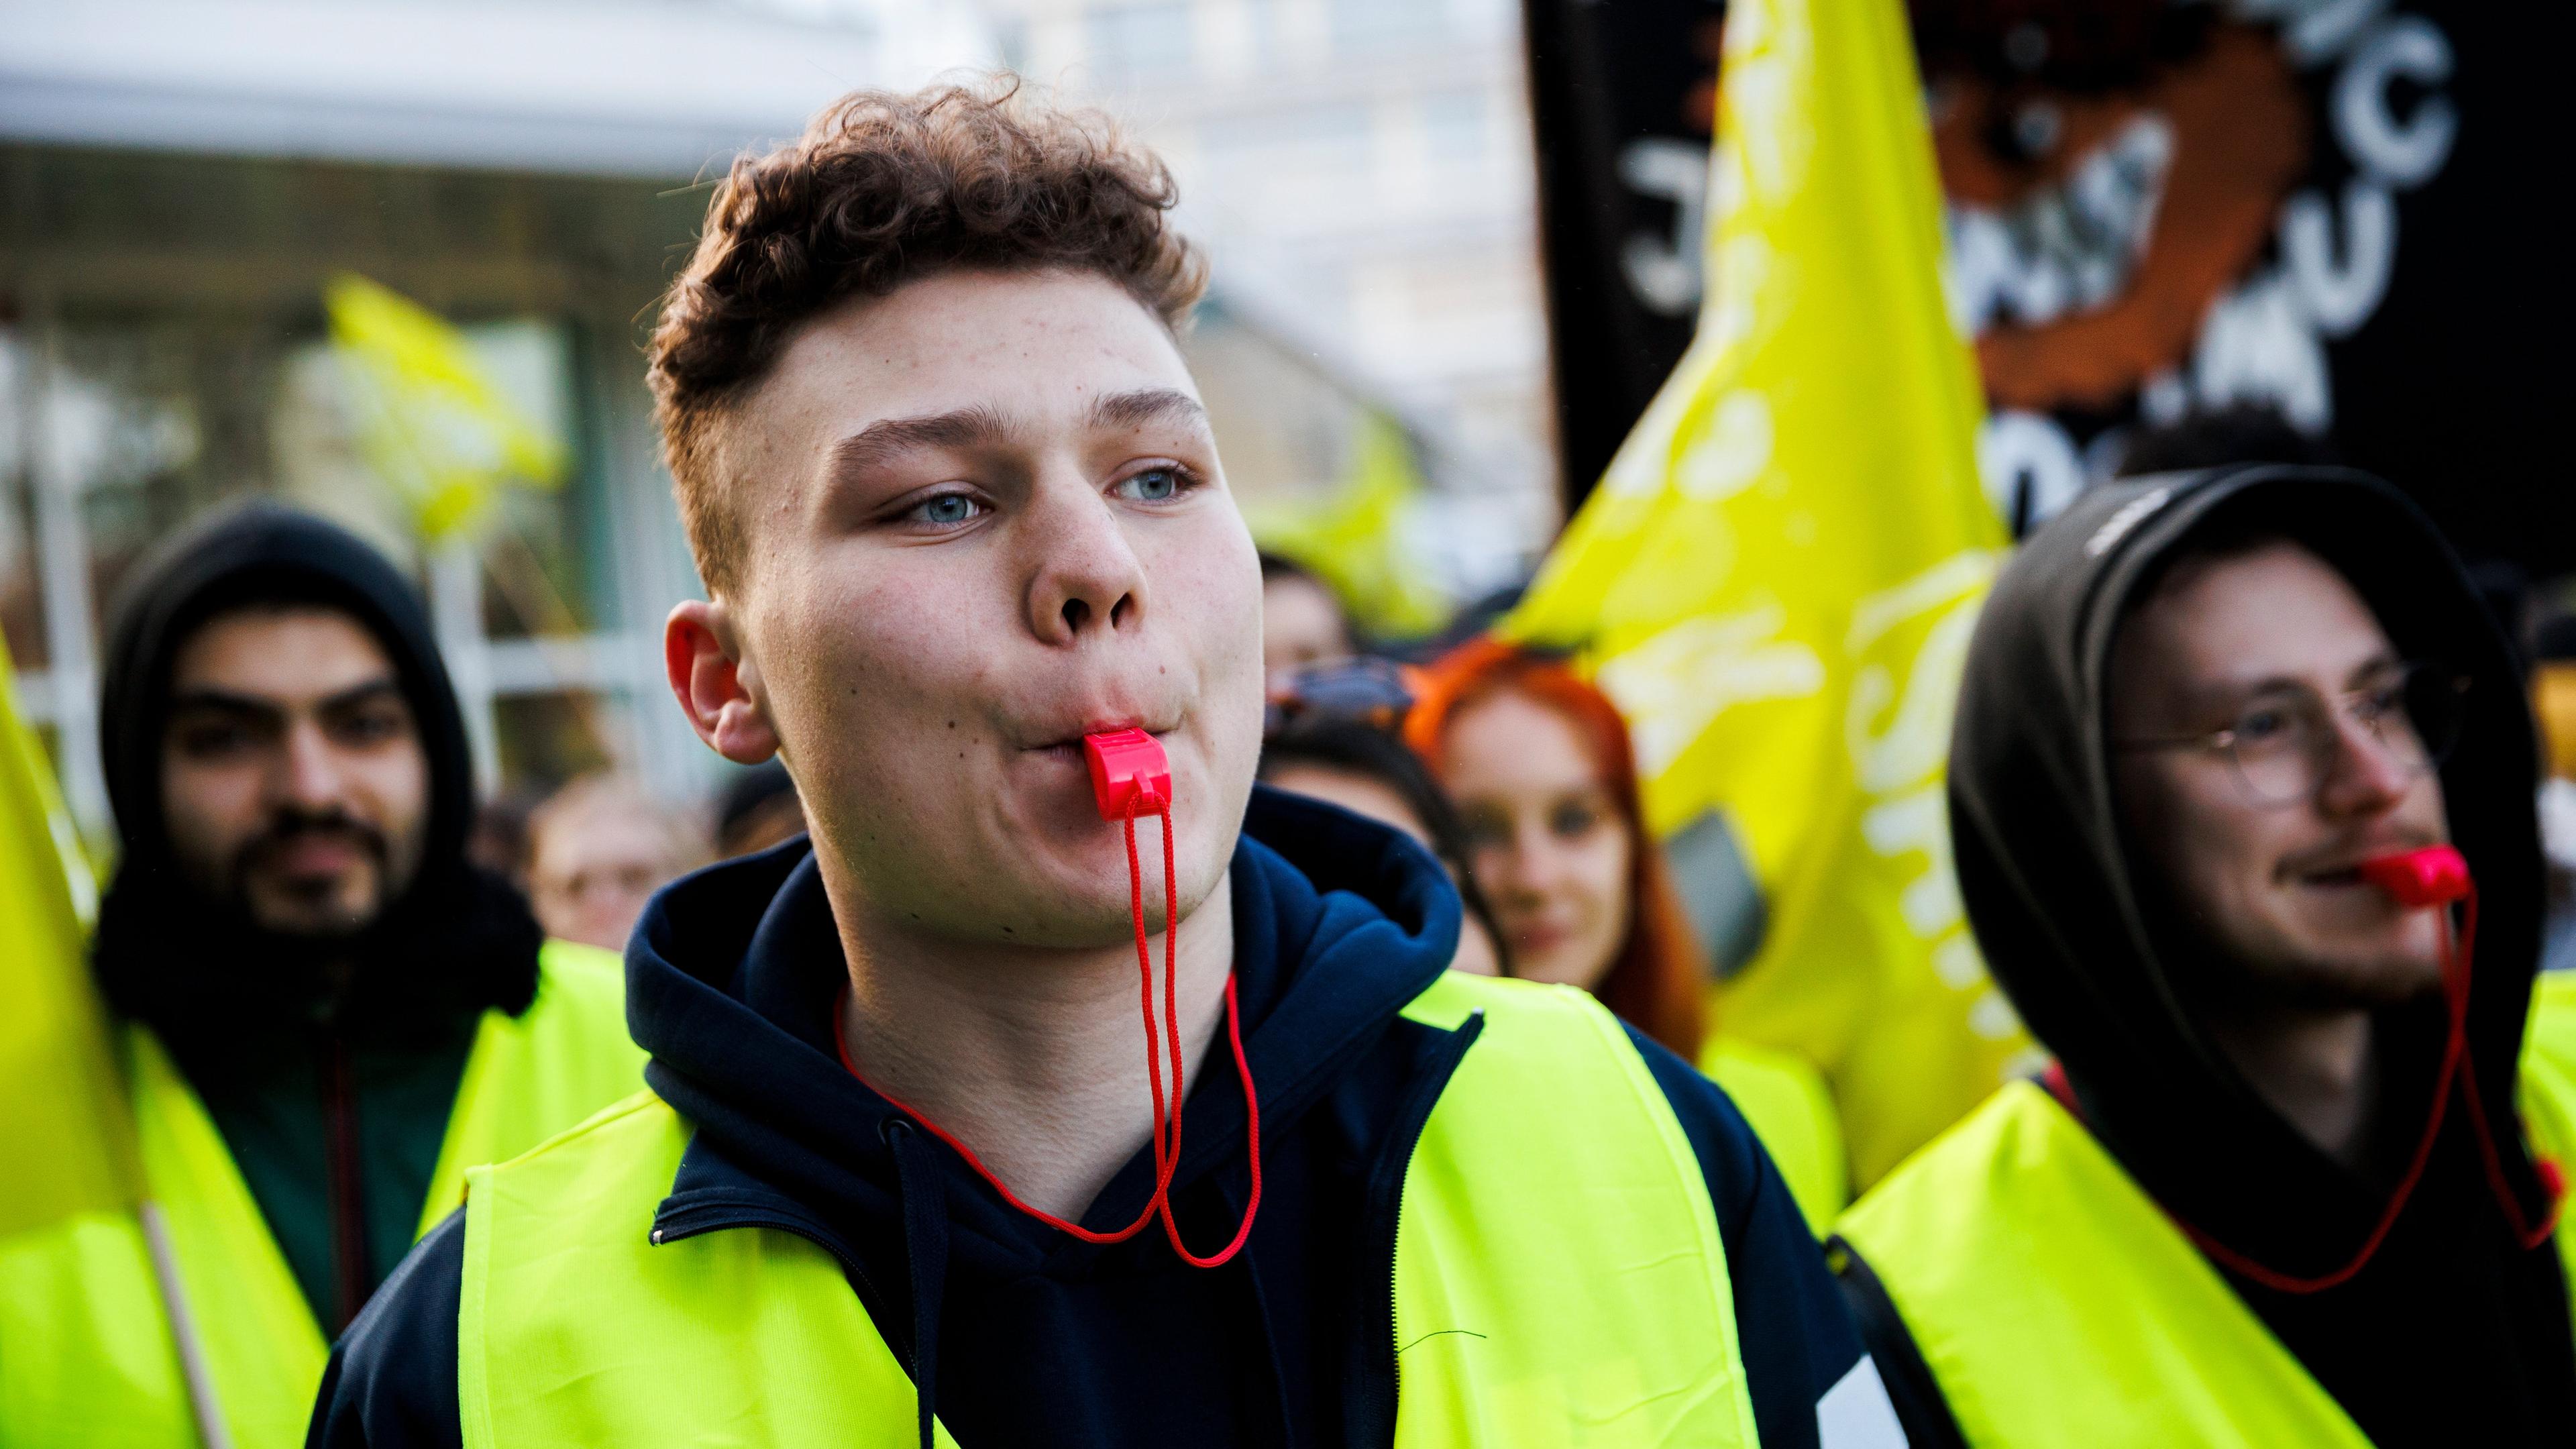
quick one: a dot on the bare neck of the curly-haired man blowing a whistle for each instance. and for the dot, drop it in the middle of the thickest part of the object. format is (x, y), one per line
(1029, 1056)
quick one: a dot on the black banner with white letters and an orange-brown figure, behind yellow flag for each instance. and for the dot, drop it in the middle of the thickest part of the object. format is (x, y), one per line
(2322, 210)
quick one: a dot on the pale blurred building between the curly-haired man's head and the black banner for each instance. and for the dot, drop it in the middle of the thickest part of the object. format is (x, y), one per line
(1361, 174)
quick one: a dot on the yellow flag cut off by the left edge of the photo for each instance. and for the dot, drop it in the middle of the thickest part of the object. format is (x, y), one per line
(63, 1113)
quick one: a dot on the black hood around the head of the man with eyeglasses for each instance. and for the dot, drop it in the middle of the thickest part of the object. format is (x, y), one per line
(2085, 945)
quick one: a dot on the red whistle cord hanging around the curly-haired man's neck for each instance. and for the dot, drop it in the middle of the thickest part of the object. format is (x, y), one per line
(1168, 1107)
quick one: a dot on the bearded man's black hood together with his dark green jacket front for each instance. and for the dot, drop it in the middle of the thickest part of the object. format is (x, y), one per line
(292, 1043)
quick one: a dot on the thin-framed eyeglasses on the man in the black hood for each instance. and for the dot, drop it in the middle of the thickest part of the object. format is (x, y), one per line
(2286, 739)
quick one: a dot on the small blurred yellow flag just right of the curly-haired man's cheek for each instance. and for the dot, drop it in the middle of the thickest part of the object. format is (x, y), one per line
(1356, 540)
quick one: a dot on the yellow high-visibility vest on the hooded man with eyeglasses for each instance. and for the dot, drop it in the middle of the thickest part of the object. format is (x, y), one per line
(2057, 1303)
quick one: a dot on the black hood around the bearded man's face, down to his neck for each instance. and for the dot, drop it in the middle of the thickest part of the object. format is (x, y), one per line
(457, 940)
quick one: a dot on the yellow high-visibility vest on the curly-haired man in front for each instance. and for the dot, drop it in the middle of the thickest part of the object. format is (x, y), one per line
(1560, 1275)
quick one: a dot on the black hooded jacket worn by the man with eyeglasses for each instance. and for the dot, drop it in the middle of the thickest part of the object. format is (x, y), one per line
(2451, 1324)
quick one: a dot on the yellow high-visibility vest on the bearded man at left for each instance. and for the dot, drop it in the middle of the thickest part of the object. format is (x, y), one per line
(86, 1355)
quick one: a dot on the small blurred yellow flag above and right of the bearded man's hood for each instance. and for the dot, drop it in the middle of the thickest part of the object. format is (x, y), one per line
(431, 422)
